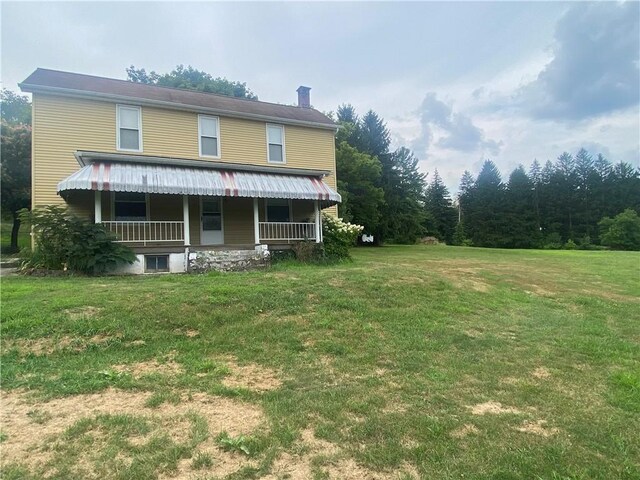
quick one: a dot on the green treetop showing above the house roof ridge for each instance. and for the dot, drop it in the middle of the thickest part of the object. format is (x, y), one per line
(191, 79)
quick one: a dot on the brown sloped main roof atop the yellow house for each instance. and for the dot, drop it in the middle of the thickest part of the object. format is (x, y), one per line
(44, 80)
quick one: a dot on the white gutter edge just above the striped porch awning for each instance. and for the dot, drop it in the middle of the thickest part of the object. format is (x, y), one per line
(85, 158)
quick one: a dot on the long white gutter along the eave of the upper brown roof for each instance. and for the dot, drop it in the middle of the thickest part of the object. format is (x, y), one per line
(69, 92)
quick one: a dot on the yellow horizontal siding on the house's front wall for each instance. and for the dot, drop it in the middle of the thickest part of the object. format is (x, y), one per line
(63, 125)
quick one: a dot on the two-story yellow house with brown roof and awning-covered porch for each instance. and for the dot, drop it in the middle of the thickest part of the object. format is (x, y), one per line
(178, 174)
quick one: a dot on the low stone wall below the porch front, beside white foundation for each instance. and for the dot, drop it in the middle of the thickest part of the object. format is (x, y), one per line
(227, 260)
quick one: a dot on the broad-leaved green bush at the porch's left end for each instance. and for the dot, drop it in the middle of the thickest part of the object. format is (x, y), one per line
(64, 241)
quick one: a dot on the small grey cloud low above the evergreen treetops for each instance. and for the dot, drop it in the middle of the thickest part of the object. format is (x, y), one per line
(455, 130)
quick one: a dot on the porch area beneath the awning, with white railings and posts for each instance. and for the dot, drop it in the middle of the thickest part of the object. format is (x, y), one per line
(154, 220)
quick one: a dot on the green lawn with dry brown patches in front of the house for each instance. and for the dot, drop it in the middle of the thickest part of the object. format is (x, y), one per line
(409, 362)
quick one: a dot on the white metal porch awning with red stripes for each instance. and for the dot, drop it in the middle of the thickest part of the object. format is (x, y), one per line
(150, 178)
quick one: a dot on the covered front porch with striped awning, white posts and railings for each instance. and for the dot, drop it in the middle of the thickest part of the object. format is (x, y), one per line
(153, 204)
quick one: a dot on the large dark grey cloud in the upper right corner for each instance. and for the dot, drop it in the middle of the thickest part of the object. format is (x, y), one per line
(595, 65)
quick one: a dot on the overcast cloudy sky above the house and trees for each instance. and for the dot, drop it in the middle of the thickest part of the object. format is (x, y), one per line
(455, 82)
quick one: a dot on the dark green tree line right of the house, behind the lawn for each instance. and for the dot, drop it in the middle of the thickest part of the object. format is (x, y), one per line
(559, 204)
